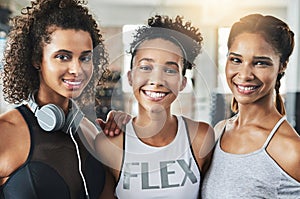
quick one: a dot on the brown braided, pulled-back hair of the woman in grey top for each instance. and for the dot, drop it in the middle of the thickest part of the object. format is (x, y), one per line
(277, 33)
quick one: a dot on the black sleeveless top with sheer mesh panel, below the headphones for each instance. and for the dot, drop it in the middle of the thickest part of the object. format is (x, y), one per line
(51, 170)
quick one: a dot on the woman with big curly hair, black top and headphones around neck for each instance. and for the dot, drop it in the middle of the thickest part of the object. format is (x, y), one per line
(54, 53)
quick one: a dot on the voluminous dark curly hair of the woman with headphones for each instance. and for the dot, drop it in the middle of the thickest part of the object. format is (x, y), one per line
(31, 30)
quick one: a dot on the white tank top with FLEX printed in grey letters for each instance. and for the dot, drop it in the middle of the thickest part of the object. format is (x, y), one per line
(158, 172)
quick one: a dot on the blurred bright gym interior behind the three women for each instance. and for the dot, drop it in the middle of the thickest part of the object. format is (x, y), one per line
(206, 97)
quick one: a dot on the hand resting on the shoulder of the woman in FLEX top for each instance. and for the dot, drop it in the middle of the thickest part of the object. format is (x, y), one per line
(115, 122)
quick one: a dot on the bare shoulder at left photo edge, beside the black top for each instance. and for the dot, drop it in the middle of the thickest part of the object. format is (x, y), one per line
(14, 142)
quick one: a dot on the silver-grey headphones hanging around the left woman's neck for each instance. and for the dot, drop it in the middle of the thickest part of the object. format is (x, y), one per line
(51, 118)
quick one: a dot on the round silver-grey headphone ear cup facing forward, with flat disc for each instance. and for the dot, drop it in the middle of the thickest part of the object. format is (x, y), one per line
(50, 117)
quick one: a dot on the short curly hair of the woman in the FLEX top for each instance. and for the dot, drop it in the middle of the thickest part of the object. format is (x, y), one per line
(184, 35)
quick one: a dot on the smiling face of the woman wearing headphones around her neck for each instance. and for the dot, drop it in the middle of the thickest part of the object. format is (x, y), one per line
(66, 68)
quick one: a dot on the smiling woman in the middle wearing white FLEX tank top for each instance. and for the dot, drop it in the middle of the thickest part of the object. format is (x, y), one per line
(160, 155)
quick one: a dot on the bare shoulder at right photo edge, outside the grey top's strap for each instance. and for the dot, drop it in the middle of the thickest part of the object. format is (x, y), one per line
(285, 149)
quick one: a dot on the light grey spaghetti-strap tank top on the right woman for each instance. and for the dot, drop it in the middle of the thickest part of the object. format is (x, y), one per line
(248, 176)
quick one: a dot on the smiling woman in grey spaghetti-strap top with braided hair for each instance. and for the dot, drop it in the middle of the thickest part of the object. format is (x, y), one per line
(258, 152)
